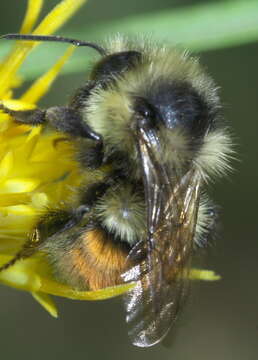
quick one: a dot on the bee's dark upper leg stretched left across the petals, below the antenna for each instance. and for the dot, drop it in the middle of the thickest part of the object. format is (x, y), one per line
(63, 119)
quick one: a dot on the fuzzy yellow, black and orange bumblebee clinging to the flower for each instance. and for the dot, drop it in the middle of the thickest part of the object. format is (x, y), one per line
(149, 135)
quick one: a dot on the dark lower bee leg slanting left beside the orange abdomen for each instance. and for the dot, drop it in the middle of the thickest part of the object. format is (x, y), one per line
(52, 223)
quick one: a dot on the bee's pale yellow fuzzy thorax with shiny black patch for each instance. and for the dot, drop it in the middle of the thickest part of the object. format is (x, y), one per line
(162, 91)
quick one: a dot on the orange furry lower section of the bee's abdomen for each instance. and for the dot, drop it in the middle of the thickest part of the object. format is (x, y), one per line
(93, 262)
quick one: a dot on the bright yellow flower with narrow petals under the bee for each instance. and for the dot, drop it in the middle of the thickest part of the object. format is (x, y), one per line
(36, 170)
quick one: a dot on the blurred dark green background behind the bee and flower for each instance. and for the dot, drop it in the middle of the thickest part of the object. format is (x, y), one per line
(220, 321)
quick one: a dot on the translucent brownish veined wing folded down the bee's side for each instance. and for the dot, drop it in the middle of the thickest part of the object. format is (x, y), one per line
(161, 277)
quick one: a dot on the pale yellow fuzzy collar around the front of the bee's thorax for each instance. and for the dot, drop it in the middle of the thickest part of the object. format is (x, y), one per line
(109, 111)
